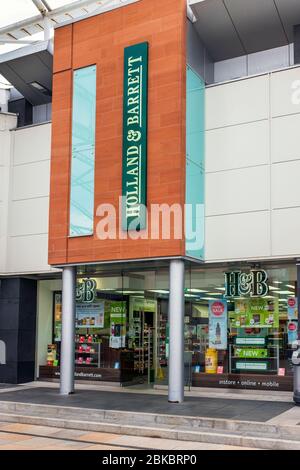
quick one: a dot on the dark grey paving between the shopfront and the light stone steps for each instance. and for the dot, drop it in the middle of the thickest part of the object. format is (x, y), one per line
(245, 410)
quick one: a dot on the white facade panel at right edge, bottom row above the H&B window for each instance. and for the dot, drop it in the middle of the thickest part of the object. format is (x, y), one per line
(285, 232)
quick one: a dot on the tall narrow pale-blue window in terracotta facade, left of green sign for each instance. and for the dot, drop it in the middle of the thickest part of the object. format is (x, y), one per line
(83, 152)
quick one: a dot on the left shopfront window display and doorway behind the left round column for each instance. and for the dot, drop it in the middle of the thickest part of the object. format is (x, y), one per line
(116, 336)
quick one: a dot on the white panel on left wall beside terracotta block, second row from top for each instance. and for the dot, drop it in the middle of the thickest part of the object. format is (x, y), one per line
(31, 181)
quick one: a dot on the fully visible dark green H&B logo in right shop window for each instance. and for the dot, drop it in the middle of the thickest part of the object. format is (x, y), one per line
(239, 284)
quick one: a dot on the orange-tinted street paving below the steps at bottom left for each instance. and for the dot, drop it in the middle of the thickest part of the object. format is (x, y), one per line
(28, 437)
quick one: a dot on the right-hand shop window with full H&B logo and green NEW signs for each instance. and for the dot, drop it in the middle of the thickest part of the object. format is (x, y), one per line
(246, 330)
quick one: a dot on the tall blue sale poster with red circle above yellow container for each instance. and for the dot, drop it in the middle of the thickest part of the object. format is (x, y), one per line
(218, 324)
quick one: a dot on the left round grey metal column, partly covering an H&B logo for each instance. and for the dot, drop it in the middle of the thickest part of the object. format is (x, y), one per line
(67, 353)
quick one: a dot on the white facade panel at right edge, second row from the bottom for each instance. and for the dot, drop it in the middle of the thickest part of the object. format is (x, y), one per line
(285, 184)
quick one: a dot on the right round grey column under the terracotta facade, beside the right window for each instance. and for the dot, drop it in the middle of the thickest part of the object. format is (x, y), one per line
(176, 332)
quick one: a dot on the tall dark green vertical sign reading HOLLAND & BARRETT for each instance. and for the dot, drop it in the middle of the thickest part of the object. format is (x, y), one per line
(134, 180)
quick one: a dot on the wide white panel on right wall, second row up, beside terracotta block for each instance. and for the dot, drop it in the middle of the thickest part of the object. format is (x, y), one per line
(235, 191)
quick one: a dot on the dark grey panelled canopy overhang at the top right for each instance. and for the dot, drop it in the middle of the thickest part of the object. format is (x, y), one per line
(232, 28)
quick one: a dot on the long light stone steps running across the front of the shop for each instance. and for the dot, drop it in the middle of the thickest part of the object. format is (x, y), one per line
(196, 429)
